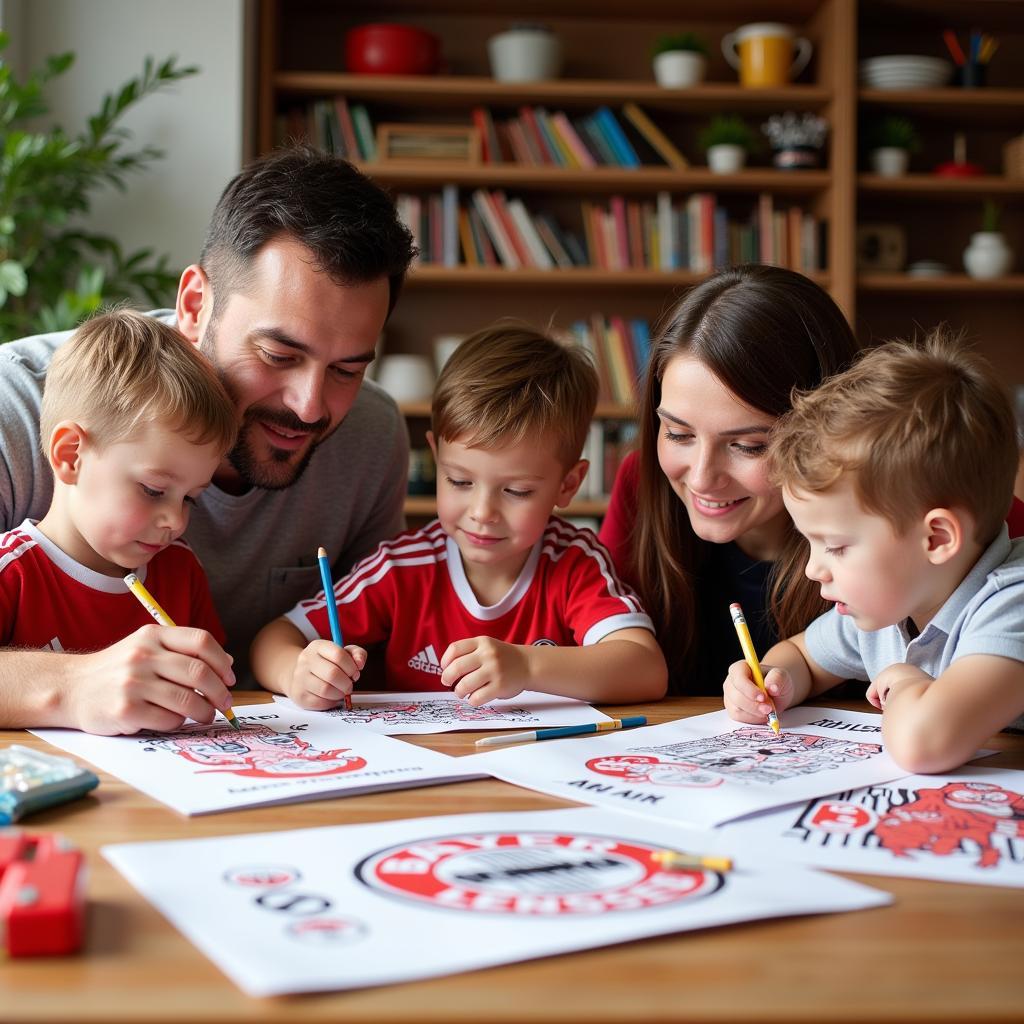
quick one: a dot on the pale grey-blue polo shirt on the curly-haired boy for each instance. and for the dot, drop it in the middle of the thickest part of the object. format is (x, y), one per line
(985, 616)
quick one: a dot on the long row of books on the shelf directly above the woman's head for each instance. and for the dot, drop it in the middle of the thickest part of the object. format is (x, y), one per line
(693, 233)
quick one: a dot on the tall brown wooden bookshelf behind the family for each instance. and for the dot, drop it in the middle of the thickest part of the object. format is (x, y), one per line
(607, 62)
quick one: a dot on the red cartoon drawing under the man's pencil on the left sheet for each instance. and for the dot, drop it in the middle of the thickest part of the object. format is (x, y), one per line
(259, 752)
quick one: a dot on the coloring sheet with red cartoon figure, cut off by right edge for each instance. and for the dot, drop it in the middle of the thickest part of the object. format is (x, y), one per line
(965, 827)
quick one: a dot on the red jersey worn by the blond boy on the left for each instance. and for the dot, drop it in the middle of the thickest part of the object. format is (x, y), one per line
(50, 601)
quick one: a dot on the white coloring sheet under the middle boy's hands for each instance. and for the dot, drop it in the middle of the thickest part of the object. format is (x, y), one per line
(423, 714)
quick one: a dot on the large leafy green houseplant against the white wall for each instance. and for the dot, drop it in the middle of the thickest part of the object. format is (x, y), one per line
(53, 273)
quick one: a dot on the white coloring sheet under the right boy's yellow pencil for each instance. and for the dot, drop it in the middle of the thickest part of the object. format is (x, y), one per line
(705, 771)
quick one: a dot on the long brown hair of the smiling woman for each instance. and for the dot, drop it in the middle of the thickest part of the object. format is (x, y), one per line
(762, 331)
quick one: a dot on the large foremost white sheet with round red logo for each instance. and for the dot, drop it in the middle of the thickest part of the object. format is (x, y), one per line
(374, 905)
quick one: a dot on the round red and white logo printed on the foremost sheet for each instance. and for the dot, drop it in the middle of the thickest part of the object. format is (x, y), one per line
(532, 875)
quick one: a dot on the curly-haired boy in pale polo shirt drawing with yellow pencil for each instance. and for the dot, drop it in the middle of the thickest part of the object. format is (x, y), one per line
(900, 474)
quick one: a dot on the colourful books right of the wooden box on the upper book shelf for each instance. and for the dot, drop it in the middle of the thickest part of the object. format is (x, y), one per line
(539, 138)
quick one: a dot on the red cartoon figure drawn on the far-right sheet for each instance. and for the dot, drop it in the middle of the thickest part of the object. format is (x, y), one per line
(938, 821)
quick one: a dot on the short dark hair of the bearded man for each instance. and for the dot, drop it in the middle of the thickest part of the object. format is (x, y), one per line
(348, 223)
